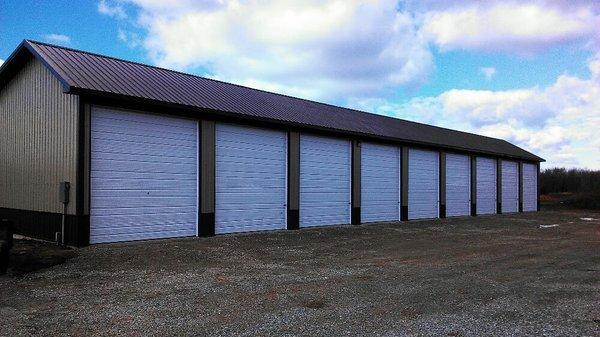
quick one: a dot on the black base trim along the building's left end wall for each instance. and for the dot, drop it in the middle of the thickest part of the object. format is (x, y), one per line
(44, 225)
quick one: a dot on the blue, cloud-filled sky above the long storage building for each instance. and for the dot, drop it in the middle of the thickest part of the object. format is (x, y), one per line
(524, 71)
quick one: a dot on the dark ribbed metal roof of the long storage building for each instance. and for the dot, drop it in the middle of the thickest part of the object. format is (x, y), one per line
(84, 72)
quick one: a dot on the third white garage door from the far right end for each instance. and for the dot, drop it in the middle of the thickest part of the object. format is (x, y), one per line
(486, 185)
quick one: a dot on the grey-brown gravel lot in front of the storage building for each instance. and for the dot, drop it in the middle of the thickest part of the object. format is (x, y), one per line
(498, 275)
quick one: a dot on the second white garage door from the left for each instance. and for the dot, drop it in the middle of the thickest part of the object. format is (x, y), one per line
(251, 179)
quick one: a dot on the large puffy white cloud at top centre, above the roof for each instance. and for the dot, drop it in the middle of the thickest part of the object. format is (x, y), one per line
(320, 49)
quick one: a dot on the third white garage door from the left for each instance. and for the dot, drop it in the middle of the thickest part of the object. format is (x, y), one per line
(324, 181)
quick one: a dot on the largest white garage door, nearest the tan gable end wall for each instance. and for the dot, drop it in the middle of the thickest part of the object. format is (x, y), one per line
(144, 178)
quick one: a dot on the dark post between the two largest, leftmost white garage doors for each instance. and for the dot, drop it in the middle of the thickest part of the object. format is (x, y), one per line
(206, 164)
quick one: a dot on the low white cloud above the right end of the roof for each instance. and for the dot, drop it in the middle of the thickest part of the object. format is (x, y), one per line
(559, 122)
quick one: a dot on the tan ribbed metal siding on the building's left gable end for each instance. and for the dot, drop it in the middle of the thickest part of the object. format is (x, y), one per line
(38, 141)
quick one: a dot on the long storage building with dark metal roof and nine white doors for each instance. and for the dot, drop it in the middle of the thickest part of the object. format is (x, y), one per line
(154, 153)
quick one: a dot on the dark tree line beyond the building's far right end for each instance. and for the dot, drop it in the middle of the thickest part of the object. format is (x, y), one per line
(557, 180)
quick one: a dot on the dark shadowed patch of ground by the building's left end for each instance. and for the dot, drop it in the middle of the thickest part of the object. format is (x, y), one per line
(29, 256)
